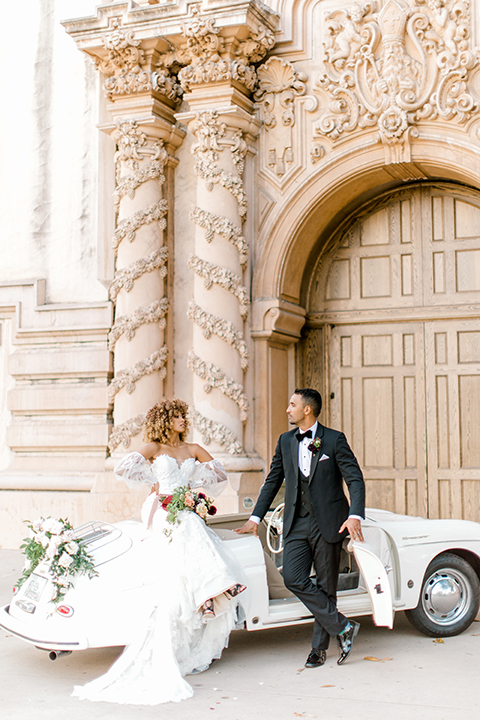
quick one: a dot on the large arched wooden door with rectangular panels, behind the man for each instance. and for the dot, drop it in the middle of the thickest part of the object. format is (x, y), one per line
(392, 336)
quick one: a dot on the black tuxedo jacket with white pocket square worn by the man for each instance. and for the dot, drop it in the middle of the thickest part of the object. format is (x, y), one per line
(326, 489)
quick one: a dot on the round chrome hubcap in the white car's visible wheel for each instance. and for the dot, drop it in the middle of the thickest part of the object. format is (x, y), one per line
(446, 596)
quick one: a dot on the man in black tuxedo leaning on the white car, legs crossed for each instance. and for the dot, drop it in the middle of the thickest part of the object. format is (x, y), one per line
(313, 460)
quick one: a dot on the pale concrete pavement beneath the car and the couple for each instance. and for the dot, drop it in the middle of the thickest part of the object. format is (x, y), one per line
(261, 675)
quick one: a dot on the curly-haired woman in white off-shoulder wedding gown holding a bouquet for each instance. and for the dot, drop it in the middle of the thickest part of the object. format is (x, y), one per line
(188, 623)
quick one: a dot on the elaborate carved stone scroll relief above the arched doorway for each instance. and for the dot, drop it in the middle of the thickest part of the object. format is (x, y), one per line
(394, 68)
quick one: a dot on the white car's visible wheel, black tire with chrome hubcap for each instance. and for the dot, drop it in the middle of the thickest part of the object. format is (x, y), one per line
(449, 598)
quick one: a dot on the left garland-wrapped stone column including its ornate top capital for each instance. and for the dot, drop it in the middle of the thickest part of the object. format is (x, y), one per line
(142, 96)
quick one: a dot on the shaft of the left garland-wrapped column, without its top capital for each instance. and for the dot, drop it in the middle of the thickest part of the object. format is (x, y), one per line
(138, 289)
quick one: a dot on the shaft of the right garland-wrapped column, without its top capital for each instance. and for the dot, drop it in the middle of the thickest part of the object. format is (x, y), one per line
(219, 357)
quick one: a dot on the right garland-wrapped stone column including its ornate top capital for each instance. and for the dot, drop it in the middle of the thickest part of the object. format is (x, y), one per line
(218, 81)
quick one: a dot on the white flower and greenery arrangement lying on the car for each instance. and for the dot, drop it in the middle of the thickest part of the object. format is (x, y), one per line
(54, 543)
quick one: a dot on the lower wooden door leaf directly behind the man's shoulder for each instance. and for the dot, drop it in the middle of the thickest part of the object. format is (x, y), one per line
(378, 400)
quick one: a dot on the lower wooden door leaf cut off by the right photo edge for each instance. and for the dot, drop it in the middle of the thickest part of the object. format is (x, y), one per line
(453, 418)
